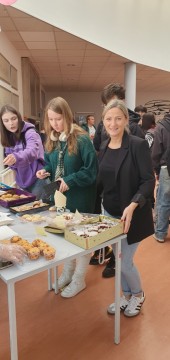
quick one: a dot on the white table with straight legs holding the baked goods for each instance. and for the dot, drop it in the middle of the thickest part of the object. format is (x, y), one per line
(64, 251)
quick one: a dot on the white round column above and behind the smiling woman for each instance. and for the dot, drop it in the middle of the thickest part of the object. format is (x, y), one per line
(130, 85)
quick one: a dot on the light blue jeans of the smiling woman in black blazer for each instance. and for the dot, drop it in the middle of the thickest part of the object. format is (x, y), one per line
(130, 278)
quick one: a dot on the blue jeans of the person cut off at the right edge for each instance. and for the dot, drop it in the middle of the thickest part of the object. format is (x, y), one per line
(162, 205)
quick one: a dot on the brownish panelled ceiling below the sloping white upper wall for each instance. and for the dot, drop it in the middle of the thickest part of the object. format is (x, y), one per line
(66, 62)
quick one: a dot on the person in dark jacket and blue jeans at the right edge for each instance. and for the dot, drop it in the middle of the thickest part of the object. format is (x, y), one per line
(161, 164)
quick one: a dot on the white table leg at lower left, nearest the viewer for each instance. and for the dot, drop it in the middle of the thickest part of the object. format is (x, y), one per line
(12, 321)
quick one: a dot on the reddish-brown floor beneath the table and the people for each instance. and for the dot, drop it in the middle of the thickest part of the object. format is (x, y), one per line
(50, 327)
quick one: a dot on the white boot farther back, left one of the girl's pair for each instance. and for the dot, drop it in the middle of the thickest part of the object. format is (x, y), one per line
(66, 275)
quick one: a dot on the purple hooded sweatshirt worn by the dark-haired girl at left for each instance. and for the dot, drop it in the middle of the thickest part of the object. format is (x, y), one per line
(29, 159)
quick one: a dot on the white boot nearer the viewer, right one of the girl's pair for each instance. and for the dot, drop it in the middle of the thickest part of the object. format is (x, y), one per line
(78, 280)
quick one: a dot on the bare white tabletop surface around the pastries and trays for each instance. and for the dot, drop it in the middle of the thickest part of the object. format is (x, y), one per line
(64, 251)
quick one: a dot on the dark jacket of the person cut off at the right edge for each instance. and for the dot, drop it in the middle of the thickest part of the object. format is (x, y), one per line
(161, 146)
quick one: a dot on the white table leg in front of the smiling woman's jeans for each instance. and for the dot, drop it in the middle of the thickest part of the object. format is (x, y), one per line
(117, 292)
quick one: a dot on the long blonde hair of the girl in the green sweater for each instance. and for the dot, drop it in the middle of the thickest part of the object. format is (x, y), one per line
(60, 106)
